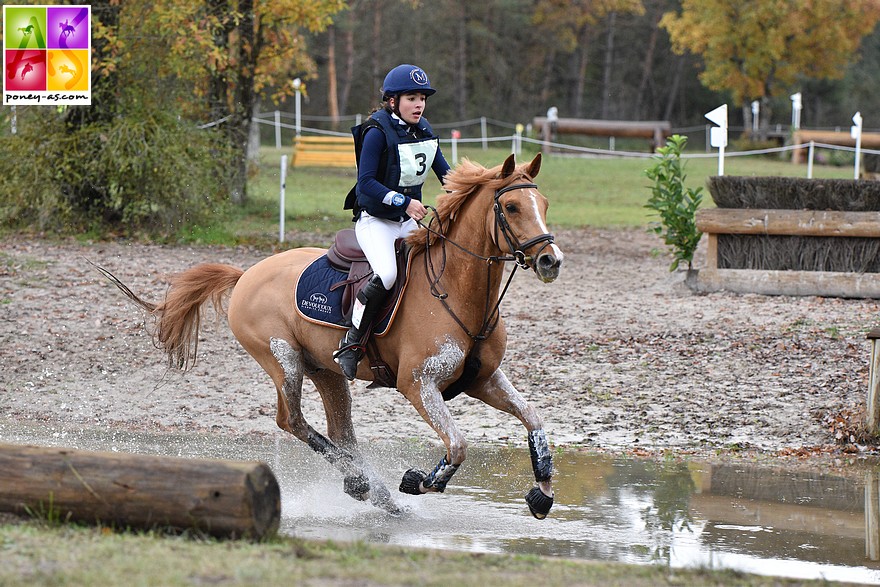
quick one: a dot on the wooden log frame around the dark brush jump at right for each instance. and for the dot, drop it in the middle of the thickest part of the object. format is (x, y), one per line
(818, 223)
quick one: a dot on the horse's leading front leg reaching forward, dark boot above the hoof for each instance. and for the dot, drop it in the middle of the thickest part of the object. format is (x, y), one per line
(498, 392)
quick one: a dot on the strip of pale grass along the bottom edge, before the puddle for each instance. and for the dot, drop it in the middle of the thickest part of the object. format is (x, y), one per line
(35, 553)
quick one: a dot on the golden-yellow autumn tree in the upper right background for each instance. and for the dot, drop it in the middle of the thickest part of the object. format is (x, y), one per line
(757, 50)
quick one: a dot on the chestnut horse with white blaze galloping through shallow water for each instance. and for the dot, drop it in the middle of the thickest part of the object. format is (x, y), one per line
(447, 334)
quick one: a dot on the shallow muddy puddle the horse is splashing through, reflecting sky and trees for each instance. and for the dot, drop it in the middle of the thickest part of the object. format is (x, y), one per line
(678, 514)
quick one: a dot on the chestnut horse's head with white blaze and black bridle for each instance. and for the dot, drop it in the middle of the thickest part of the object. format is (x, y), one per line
(519, 217)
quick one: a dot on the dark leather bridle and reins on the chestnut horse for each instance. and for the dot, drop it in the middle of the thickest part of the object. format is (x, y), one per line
(491, 315)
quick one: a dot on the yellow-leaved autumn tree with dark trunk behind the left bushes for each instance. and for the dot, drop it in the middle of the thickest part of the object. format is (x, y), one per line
(235, 52)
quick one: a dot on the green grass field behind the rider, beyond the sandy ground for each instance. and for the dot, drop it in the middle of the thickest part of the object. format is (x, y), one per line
(595, 192)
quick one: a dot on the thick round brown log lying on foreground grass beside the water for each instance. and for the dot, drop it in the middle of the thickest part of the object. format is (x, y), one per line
(227, 499)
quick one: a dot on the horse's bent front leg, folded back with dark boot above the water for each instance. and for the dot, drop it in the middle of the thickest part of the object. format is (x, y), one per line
(425, 395)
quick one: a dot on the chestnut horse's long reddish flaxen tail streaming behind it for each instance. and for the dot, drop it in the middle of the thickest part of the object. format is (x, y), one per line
(179, 315)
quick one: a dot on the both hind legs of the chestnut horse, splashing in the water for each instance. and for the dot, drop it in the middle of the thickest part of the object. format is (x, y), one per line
(340, 449)
